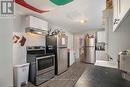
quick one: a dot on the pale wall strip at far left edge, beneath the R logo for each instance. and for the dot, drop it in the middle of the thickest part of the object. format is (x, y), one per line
(6, 64)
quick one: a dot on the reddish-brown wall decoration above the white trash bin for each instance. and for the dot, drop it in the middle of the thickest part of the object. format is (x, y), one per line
(19, 39)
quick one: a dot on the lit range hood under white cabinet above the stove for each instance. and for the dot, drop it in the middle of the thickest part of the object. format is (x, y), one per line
(36, 31)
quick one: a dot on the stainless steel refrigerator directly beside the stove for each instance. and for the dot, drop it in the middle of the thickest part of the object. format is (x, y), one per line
(57, 44)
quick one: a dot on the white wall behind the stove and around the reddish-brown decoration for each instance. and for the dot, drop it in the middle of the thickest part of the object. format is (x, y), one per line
(19, 53)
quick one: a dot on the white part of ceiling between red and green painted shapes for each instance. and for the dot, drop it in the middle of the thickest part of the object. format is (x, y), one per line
(69, 15)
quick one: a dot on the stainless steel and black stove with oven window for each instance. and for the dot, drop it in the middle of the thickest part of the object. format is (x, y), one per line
(42, 65)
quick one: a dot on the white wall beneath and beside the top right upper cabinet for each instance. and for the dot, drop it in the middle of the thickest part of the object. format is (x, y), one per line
(119, 40)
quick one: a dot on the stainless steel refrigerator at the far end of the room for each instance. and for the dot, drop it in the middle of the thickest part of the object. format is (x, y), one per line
(87, 50)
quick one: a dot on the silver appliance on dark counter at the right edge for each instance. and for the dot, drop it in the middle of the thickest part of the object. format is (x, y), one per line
(124, 64)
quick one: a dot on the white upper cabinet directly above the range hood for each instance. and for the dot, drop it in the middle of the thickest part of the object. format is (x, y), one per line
(37, 23)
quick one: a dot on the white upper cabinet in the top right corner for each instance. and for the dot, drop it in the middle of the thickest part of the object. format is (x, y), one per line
(121, 9)
